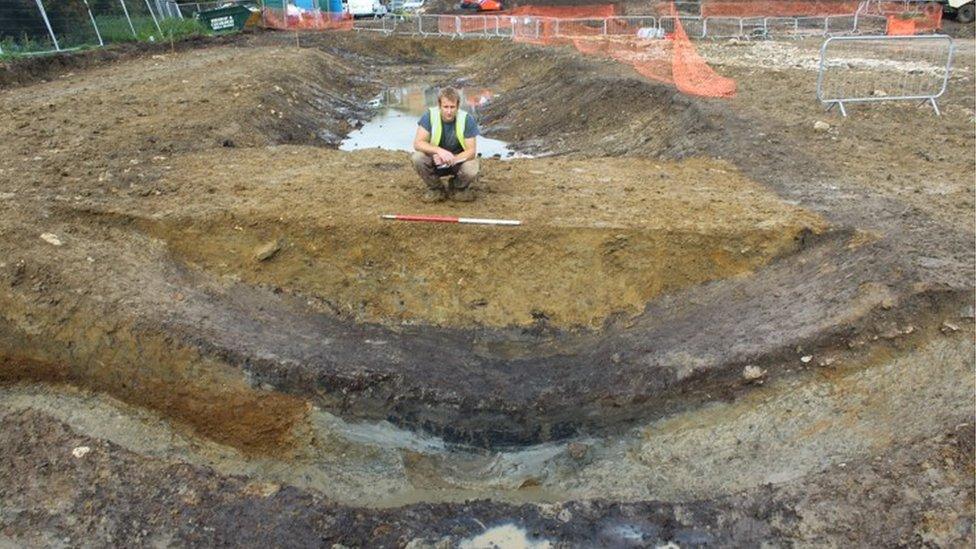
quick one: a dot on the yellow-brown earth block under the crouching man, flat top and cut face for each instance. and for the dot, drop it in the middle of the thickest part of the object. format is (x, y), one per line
(300, 225)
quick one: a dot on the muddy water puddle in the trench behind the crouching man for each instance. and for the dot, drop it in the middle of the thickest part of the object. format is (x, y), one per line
(398, 111)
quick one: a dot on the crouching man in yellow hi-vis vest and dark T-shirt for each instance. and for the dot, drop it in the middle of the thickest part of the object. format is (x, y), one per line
(446, 145)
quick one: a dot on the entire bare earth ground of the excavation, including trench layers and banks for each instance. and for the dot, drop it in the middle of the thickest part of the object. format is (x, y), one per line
(252, 356)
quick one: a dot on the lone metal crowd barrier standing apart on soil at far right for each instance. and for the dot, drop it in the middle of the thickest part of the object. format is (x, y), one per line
(860, 69)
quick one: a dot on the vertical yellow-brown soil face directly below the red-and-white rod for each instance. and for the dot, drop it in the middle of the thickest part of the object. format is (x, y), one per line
(412, 274)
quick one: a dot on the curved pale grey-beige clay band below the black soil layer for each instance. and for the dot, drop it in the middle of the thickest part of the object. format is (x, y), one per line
(864, 404)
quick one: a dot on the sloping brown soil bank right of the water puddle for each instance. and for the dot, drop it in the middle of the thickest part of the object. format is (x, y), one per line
(567, 104)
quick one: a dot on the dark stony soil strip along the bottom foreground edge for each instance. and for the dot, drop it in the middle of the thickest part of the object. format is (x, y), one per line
(915, 494)
